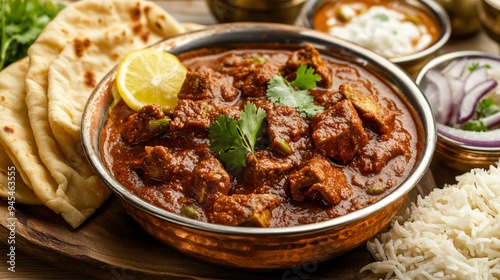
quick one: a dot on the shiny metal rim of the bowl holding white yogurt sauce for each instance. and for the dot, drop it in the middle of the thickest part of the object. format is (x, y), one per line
(437, 10)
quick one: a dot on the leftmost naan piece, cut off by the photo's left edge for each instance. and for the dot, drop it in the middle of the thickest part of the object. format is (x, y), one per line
(16, 138)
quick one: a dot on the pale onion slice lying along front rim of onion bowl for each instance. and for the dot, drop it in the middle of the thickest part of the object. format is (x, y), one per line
(471, 138)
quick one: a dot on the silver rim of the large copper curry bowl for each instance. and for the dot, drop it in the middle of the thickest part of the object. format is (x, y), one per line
(228, 30)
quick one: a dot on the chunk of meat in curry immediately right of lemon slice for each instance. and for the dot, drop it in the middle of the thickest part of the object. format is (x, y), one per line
(204, 86)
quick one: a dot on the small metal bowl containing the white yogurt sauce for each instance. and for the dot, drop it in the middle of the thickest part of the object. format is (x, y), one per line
(411, 62)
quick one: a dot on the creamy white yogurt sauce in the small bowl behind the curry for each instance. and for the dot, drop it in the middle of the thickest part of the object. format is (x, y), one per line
(382, 30)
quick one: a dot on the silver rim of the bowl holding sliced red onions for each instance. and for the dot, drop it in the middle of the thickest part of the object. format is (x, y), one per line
(440, 62)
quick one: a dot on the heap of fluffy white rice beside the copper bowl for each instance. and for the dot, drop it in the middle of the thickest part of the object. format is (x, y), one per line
(452, 233)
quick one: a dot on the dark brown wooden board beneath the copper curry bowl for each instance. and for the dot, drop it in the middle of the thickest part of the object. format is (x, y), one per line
(111, 245)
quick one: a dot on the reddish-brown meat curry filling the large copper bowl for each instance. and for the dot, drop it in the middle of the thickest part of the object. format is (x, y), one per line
(305, 168)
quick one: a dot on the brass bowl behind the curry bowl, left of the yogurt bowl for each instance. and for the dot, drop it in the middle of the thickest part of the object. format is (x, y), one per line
(280, 11)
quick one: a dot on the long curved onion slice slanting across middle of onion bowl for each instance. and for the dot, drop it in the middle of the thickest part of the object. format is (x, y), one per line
(471, 98)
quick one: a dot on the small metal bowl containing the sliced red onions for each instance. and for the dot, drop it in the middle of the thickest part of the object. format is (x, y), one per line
(452, 154)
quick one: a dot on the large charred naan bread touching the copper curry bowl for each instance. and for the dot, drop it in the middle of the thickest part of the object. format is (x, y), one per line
(71, 55)
